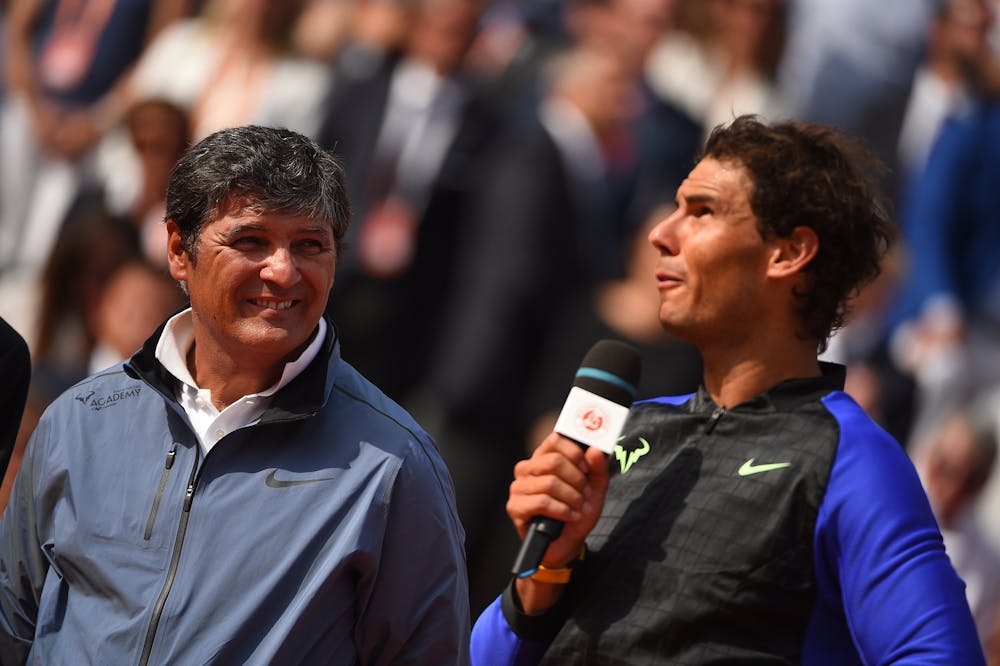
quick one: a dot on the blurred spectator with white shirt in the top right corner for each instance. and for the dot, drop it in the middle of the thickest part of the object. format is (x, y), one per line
(952, 74)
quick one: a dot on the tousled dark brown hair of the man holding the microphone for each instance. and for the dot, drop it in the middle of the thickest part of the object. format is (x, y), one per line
(815, 176)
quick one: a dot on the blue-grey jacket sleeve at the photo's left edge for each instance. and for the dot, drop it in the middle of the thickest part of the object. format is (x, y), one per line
(23, 565)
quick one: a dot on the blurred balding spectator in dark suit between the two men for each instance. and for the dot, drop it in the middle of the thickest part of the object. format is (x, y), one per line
(542, 227)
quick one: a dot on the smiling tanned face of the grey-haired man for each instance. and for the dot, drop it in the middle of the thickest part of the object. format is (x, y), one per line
(258, 283)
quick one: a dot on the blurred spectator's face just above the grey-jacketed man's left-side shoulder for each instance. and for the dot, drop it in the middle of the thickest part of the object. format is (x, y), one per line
(137, 298)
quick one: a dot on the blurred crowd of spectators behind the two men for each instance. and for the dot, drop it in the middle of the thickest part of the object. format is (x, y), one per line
(506, 159)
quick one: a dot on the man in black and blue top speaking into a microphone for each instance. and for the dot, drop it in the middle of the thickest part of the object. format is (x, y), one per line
(769, 521)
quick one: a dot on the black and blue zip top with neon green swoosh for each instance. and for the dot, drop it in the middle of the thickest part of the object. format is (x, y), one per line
(787, 529)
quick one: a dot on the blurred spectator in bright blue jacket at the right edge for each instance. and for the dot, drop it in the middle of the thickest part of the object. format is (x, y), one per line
(949, 306)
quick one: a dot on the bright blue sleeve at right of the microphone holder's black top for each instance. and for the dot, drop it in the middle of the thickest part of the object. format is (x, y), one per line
(880, 559)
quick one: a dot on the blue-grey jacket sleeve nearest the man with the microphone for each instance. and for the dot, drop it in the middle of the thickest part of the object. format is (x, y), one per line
(417, 609)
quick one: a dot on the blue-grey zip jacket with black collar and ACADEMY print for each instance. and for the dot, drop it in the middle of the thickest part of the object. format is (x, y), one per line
(326, 533)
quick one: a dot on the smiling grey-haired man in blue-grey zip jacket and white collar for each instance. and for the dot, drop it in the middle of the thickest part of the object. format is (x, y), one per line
(235, 493)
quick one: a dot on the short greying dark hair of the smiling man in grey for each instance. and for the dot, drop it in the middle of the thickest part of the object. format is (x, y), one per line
(262, 168)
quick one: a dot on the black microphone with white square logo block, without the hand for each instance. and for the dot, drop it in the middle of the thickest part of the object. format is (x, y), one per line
(593, 415)
